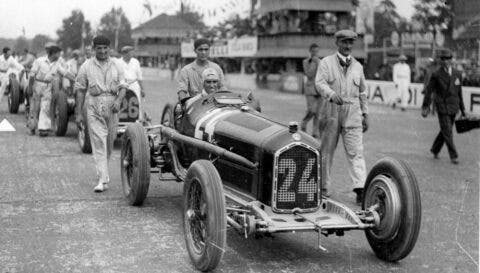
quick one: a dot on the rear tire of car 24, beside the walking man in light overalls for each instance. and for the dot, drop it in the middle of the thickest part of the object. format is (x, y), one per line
(135, 164)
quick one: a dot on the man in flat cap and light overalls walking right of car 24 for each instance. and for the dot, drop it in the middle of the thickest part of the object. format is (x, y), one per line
(341, 82)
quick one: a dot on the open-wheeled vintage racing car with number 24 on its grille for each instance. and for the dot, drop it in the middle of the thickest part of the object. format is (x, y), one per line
(243, 170)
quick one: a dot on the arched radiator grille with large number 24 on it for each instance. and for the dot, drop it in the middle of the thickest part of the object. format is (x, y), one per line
(296, 179)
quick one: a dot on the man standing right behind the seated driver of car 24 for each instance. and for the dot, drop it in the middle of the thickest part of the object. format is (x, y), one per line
(190, 81)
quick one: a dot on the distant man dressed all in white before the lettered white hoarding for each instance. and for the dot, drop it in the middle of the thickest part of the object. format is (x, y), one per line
(401, 78)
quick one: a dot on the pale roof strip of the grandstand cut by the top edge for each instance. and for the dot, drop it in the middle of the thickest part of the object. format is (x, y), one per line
(307, 5)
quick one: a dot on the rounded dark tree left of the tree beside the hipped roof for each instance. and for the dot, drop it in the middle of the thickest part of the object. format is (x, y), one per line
(74, 30)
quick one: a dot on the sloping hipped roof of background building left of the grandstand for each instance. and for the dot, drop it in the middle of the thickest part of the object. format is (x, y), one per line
(163, 25)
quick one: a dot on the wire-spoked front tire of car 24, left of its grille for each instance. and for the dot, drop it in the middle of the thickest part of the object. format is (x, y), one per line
(204, 215)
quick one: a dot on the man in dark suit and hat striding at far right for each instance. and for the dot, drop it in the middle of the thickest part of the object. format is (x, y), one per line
(446, 84)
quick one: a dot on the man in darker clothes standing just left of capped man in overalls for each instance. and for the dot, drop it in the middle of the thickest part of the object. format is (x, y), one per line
(312, 96)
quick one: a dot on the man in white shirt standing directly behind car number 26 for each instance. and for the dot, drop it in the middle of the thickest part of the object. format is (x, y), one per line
(133, 76)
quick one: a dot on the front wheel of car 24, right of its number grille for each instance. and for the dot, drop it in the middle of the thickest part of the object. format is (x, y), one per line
(392, 184)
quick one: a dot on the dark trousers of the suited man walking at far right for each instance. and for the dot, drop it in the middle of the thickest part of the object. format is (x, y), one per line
(445, 136)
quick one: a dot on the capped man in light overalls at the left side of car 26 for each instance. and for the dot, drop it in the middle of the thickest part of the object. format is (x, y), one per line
(46, 71)
